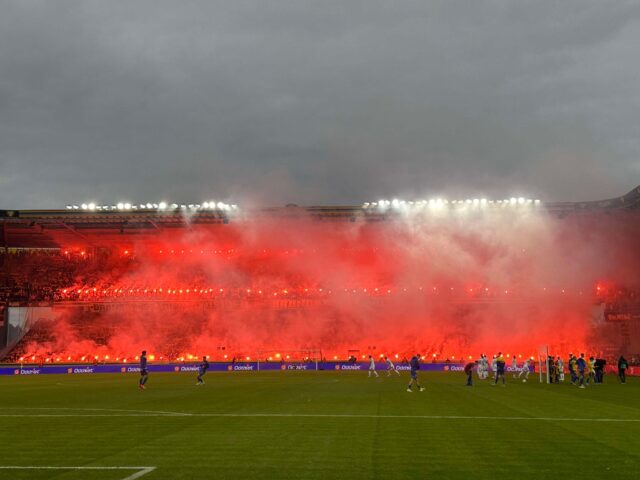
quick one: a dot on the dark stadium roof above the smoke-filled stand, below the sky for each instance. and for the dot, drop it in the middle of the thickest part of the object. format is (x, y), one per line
(56, 228)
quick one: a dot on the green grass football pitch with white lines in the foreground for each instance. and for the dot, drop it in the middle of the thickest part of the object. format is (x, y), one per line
(315, 425)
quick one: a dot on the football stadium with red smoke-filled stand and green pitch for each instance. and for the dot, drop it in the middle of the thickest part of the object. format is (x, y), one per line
(290, 306)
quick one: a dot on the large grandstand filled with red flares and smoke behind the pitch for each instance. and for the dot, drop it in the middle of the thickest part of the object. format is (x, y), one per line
(188, 280)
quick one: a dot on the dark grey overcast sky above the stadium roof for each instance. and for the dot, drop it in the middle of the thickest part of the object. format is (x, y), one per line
(316, 101)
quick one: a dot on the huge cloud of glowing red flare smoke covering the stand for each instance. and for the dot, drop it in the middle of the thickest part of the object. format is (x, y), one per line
(450, 283)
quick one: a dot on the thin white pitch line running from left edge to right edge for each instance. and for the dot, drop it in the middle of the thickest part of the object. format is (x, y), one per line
(320, 415)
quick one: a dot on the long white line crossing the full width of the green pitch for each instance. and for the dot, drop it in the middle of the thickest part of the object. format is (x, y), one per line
(154, 413)
